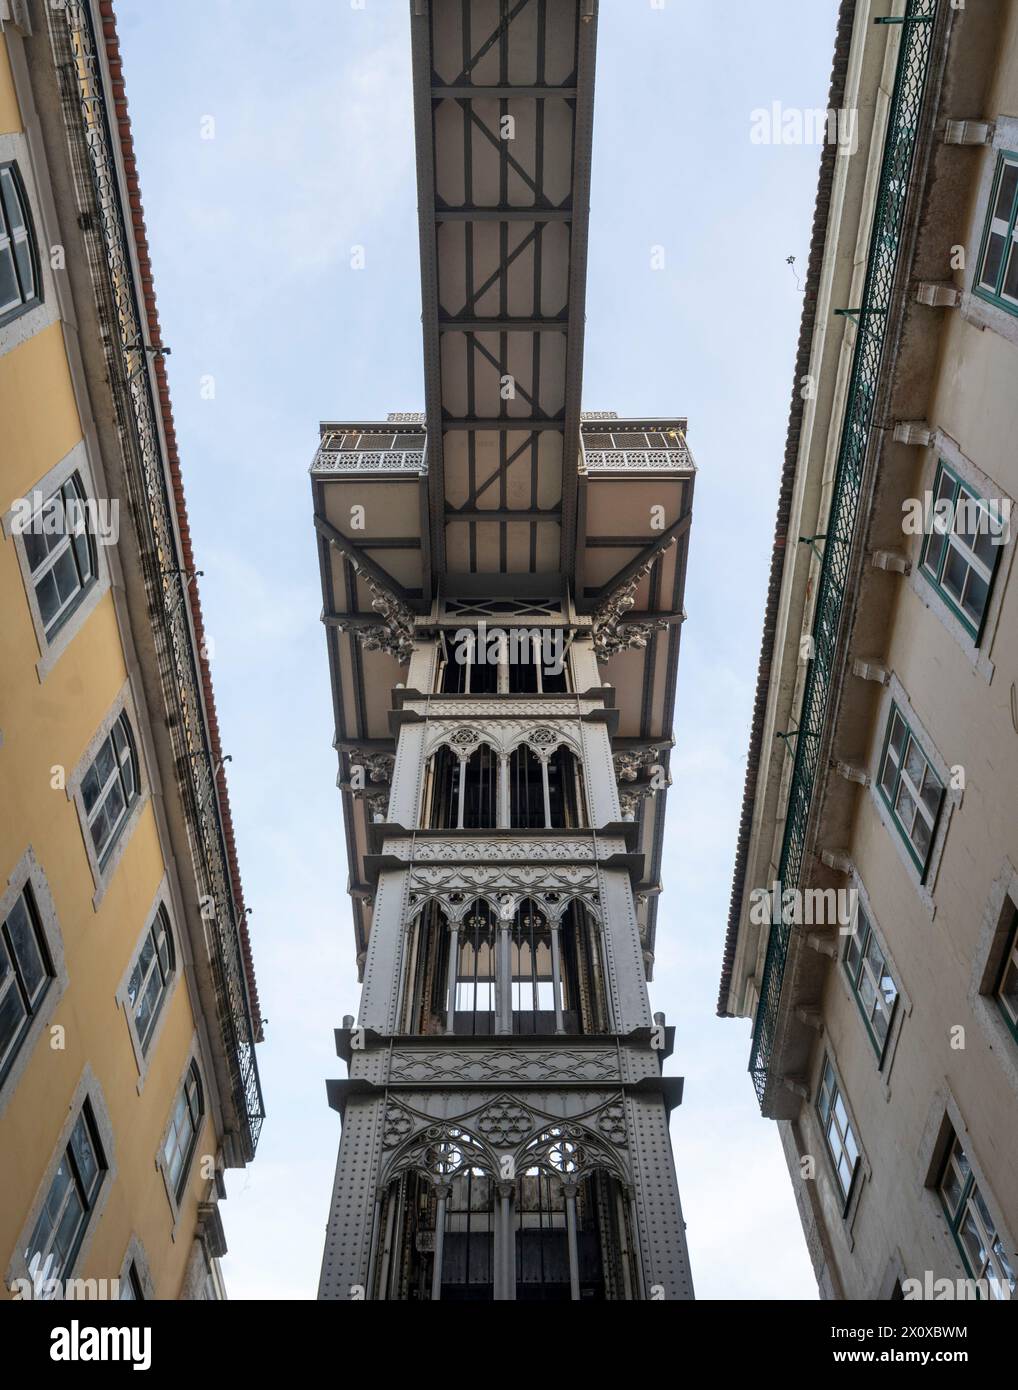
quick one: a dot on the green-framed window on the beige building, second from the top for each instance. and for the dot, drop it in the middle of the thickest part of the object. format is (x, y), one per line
(962, 562)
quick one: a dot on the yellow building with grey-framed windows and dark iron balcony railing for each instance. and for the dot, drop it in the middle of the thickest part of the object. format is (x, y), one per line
(129, 1011)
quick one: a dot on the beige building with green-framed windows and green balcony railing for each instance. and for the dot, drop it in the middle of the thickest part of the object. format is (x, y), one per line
(873, 926)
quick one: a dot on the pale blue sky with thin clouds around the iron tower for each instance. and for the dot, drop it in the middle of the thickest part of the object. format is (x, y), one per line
(275, 138)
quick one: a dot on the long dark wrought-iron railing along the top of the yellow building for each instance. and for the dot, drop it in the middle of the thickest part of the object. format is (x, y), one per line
(126, 344)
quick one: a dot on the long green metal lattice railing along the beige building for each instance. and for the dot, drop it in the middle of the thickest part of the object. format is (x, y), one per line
(903, 133)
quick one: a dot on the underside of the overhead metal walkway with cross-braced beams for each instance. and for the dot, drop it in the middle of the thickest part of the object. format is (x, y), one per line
(504, 94)
